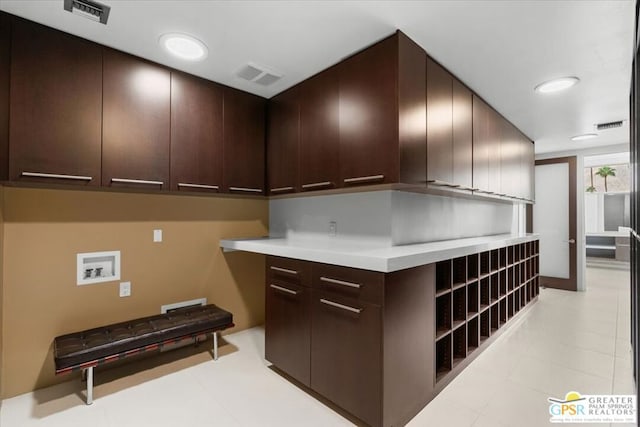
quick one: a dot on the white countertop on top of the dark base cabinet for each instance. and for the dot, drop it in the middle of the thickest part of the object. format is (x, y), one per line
(384, 259)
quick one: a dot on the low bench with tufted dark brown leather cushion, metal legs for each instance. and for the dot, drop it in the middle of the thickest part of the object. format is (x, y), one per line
(87, 349)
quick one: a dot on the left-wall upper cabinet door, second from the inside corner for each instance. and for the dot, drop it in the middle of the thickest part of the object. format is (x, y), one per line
(196, 134)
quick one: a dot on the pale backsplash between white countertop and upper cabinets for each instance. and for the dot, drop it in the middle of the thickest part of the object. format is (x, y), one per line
(389, 218)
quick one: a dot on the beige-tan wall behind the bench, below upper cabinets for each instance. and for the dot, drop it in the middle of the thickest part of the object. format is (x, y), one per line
(45, 229)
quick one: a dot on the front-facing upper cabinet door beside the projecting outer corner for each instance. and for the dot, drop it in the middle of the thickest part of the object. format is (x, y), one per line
(369, 116)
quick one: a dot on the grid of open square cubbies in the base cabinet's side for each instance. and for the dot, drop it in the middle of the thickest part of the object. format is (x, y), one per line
(477, 295)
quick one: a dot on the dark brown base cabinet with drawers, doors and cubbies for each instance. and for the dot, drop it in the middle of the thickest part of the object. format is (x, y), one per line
(380, 346)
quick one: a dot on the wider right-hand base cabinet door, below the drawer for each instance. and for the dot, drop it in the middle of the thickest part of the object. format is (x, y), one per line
(346, 354)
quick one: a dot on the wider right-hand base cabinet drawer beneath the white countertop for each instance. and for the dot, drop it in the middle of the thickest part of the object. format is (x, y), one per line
(349, 282)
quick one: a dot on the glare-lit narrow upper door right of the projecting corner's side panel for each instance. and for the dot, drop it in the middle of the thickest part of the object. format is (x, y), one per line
(439, 124)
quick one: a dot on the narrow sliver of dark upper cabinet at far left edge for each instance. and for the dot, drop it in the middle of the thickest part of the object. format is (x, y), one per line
(5, 72)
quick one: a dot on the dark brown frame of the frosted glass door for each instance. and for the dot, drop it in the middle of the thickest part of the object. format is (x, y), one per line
(570, 284)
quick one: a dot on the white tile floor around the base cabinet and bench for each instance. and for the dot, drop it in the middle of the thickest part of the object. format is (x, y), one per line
(567, 341)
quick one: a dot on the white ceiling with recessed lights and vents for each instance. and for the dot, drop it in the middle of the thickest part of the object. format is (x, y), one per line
(501, 49)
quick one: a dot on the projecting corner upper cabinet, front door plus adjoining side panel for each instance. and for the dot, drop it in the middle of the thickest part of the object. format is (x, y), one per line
(382, 98)
